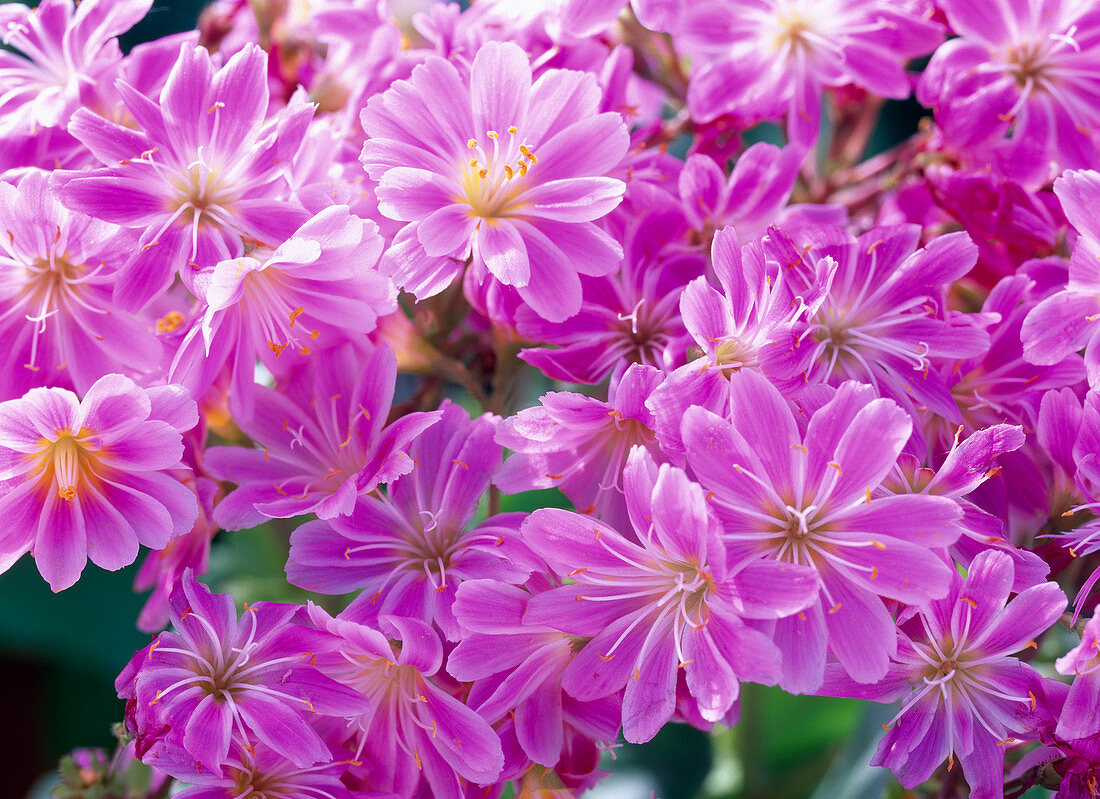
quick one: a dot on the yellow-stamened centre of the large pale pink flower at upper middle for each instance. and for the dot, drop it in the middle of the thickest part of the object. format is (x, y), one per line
(494, 178)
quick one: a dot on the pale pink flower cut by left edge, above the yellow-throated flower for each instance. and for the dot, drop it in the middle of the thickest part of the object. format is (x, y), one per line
(58, 270)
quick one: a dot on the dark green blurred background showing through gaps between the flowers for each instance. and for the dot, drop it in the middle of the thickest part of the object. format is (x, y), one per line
(60, 655)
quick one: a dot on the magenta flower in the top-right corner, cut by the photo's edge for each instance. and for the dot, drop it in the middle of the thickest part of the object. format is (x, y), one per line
(1019, 87)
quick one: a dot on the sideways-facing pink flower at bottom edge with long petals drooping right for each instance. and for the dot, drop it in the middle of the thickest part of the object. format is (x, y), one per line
(414, 730)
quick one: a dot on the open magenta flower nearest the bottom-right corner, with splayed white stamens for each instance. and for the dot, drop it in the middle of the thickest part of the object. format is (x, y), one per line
(963, 694)
